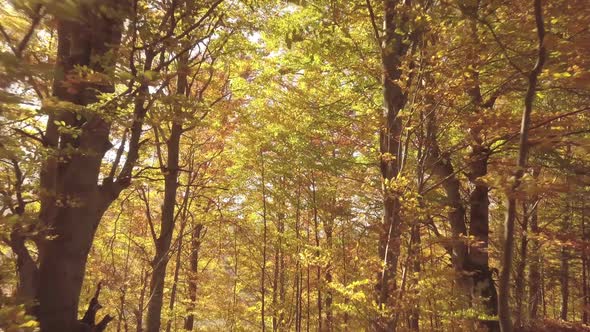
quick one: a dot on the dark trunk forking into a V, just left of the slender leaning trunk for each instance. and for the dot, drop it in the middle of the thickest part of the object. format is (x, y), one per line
(471, 262)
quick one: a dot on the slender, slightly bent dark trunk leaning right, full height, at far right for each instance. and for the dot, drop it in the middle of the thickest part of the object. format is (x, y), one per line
(508, 241)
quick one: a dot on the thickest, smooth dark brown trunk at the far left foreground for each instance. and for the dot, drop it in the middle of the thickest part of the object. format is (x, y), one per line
(73, 202)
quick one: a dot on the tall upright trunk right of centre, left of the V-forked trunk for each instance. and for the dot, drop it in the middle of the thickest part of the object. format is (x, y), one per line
(393, 49)
